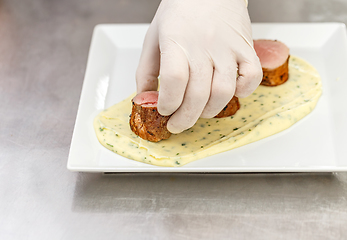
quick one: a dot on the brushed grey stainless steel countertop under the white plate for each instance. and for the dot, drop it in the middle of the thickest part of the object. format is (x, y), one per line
(43, 54)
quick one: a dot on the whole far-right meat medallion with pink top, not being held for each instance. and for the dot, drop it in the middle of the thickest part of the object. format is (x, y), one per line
(274, 59)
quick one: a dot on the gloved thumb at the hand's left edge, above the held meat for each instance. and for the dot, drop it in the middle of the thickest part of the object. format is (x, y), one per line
(148, 69)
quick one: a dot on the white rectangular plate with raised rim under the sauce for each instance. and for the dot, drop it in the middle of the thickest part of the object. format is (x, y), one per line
(317, 143)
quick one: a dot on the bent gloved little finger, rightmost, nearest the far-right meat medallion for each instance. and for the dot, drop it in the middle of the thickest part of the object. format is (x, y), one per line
(250, 76)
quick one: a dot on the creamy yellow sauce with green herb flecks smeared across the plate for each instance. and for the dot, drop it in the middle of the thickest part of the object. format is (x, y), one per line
(267, 111)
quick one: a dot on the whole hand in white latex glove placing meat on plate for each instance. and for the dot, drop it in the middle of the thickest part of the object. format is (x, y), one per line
(203, 51)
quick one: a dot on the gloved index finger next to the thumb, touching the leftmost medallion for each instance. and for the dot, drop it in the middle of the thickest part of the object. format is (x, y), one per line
(174, 74)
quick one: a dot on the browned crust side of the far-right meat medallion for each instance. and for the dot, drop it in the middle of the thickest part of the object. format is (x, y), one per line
(277, 76)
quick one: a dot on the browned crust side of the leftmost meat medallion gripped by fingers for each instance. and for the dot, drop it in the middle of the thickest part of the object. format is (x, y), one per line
(148, 124)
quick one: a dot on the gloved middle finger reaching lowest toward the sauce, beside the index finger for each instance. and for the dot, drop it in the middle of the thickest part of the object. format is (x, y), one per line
(195, 99)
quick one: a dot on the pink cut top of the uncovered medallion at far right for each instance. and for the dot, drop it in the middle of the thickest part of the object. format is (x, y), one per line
(272, 53)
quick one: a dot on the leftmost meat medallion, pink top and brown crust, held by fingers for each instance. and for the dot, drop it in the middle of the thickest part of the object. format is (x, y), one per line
(145, 120)
